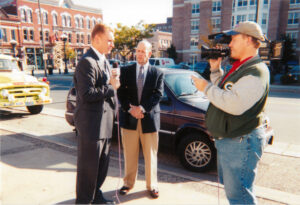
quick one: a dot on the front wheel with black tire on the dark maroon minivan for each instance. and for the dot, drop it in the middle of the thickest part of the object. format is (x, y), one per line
(197, 152)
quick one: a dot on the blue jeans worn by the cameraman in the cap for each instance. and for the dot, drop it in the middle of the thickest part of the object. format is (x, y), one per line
(237, 165)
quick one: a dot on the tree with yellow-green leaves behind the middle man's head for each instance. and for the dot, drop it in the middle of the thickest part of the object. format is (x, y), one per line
(127, 38)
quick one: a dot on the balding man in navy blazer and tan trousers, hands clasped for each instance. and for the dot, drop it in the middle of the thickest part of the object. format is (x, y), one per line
(139, 94)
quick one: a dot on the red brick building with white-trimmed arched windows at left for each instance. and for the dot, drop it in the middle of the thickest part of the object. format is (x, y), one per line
(57, 17)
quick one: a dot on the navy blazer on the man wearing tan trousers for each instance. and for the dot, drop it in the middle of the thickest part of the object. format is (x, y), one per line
(151, 96)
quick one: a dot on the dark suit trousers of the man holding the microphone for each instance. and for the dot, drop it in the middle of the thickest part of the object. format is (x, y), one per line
(92, 166)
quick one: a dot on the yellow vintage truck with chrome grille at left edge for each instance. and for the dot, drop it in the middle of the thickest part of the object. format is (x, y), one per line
(18, 89)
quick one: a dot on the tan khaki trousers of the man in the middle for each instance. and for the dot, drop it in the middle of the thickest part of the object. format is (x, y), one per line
(131, 145)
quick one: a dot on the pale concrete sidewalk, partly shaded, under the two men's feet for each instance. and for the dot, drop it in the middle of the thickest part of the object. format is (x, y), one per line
(35, 173)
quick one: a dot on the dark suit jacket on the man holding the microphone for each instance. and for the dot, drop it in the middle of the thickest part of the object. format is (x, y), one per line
(93, 115)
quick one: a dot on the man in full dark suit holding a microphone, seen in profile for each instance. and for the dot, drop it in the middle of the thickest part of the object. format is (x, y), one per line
(94, 114)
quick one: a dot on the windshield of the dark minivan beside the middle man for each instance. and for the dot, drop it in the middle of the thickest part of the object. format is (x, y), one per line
(181, 83)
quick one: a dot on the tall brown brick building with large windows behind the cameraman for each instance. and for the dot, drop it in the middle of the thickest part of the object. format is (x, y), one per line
(193, 20)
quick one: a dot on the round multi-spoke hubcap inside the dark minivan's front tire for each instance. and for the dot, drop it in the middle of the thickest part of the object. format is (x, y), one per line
(197, 154)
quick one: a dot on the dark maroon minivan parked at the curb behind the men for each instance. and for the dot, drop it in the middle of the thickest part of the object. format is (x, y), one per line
(183, 129)
